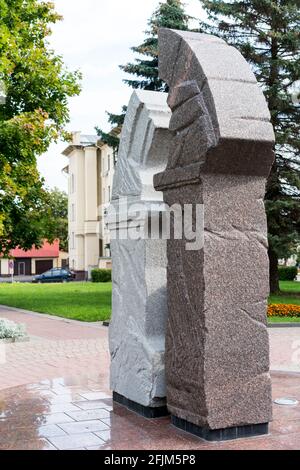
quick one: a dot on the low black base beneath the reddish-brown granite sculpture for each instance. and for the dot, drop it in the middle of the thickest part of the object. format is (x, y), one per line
(236, 432)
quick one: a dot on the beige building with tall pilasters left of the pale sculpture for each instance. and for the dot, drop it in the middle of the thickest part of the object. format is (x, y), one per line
(91, 171)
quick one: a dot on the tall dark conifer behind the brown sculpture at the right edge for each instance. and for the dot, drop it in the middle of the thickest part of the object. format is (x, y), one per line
(267, 34)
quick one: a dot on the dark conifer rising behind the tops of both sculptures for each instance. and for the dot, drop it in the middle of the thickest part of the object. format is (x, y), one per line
(169, 14)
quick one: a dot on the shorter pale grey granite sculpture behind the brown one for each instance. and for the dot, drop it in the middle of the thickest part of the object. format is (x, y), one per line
(139, 304)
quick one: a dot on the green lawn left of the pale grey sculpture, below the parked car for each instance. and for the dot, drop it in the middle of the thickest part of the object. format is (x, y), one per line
(83, 301)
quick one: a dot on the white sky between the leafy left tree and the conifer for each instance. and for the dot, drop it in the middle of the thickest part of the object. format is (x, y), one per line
(95, 37)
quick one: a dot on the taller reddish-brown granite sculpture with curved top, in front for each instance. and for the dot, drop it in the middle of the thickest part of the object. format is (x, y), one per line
(217, 348)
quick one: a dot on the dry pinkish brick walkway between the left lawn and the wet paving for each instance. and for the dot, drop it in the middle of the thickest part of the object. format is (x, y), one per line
(57, 348)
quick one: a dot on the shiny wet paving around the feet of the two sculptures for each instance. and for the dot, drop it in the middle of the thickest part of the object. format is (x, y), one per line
(79, 414)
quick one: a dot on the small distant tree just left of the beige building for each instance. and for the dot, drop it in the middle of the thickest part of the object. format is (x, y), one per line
(56, 222)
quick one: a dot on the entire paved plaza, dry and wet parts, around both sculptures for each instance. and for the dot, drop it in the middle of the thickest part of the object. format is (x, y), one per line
(67, 404)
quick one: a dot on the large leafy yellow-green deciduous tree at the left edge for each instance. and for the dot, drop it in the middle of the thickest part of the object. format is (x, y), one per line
(32, 115)
